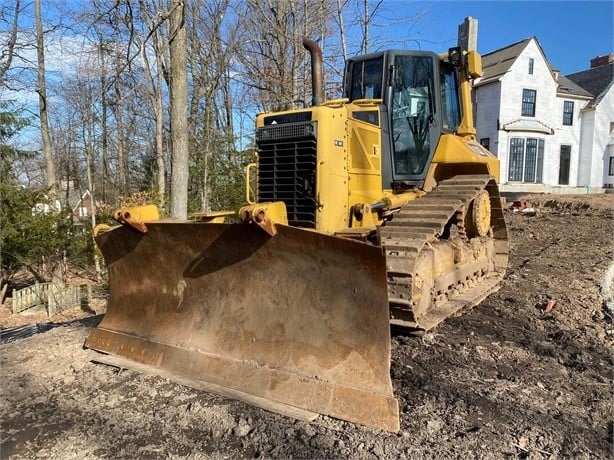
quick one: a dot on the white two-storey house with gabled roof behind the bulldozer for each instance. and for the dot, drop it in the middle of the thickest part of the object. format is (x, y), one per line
(535, 121)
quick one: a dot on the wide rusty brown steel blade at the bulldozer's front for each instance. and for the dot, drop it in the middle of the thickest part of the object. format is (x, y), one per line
(299, 319)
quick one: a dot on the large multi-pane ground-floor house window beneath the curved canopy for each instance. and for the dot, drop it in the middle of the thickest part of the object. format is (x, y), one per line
(526, 160)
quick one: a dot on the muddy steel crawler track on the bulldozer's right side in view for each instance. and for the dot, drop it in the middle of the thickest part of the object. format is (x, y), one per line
(435, 220)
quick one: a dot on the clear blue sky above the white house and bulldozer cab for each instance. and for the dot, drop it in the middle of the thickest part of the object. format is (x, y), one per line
(571, 33)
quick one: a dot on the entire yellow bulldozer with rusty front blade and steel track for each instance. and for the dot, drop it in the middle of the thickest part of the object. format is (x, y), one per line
(375, 209)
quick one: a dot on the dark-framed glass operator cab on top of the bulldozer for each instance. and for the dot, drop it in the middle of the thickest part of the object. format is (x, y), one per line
(420, 101)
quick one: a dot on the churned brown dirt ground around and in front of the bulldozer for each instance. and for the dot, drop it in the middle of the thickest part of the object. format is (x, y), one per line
(505, 380)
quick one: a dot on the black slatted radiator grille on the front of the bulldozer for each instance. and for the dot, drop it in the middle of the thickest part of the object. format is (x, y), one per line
(287, 156)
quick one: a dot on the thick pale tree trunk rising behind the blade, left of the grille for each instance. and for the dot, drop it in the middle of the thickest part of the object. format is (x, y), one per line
(179, 104)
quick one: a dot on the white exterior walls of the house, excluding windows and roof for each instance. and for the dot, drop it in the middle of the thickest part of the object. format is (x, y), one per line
(502, 101)
